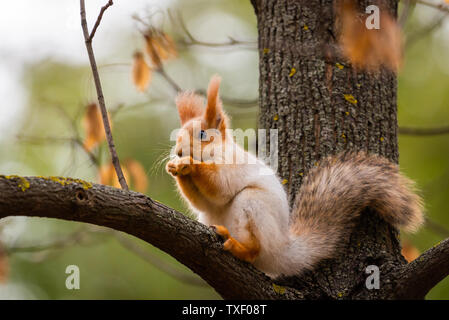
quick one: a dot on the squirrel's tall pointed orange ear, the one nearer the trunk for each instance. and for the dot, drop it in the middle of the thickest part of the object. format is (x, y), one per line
(214, 115)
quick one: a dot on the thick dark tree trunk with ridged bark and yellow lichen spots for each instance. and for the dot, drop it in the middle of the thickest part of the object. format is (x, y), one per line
(307, 92)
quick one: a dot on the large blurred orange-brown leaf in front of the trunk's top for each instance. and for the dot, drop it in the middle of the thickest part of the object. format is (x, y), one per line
(370, 49)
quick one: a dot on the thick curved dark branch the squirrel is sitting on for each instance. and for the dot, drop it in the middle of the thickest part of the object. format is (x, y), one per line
(190, 242)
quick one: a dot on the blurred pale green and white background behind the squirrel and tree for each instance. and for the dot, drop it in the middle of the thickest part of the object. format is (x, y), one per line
(46, 83)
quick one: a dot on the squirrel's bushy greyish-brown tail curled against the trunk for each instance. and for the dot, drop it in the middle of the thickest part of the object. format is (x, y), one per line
(335, 192)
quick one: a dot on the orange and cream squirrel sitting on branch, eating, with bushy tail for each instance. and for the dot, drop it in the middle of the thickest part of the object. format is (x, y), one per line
(250, 211)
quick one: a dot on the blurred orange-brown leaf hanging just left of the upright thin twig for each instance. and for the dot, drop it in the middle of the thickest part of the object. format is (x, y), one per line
(93, 126)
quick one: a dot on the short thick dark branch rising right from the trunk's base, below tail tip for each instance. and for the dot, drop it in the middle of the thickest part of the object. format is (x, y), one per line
(416, 279)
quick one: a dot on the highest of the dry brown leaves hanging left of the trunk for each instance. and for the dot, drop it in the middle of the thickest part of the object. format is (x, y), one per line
(159, 46)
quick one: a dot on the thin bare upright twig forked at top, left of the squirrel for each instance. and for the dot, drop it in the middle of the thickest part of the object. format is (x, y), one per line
(104, 114)
